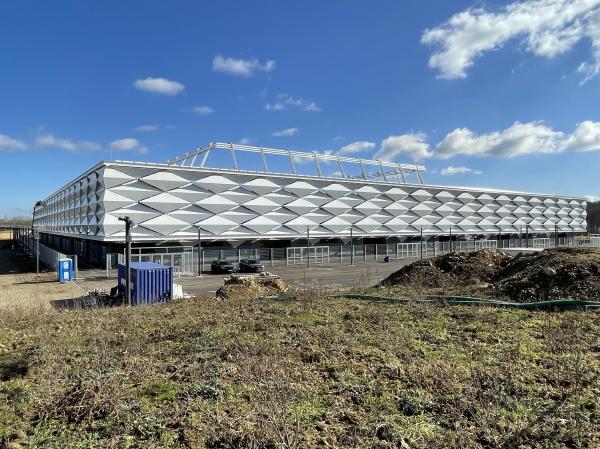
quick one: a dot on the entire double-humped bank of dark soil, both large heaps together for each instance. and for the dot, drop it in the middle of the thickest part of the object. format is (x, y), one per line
(558, 273)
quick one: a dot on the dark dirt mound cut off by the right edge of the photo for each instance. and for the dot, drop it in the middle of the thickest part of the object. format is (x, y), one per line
(550, 274)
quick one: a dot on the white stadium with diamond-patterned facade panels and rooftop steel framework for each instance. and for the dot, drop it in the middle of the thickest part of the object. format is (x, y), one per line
(172, 201)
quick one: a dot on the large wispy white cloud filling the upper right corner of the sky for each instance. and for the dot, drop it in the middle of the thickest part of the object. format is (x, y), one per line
(547, 28)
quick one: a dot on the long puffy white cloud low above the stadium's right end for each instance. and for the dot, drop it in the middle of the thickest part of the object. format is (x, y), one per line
(520, 139)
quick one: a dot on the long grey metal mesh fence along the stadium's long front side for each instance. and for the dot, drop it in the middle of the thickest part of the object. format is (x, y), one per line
(184, 260)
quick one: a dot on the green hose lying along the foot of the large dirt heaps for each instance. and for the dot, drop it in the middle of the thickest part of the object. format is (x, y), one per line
(558, 304)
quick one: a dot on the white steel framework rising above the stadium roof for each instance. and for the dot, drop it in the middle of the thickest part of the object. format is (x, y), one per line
(386, 171)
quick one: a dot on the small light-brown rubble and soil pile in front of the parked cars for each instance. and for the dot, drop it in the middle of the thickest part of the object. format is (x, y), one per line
(252, 287)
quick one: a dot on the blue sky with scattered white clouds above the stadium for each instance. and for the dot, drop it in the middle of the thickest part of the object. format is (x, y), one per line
(498, 94)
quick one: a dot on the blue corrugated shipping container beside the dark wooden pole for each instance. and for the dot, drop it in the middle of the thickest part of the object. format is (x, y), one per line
(150, 282)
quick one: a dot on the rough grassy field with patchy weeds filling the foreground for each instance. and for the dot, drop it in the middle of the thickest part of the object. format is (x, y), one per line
(300, 374)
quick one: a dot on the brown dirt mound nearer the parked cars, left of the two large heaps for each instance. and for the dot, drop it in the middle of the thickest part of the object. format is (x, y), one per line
(450, 270)
